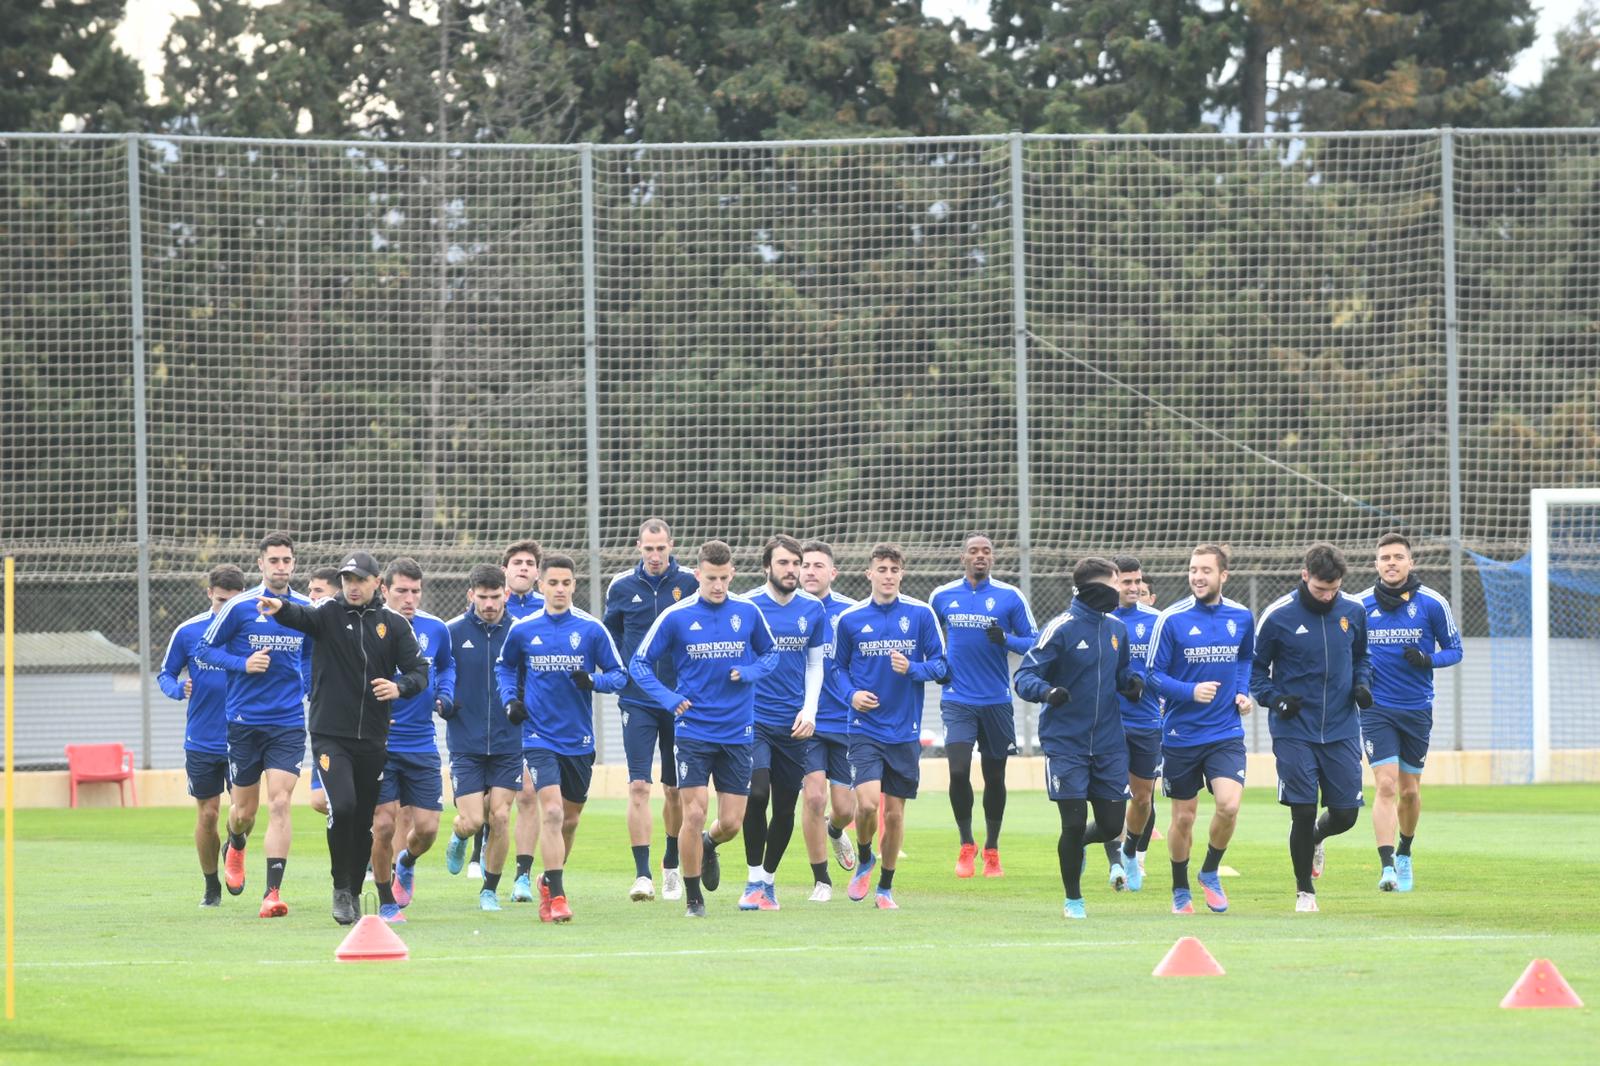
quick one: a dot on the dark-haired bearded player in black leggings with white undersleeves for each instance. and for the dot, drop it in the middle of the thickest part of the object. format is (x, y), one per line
(785, 721)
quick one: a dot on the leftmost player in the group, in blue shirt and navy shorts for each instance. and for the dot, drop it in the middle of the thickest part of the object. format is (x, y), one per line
(206, 724)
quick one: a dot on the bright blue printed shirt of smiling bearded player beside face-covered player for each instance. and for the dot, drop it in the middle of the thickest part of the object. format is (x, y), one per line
(1194, 644)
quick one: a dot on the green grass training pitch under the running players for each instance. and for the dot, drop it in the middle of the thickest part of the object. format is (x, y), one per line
(118, 963)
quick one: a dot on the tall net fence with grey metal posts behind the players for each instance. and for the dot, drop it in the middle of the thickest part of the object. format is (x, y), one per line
(1076, 345)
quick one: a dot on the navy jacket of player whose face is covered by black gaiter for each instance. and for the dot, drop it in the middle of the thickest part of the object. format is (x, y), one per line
(1087, 654)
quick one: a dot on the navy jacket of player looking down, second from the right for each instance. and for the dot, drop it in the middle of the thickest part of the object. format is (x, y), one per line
(1318, 657)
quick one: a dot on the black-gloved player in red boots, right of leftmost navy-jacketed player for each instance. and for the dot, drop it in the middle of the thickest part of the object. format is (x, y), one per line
(548, 673)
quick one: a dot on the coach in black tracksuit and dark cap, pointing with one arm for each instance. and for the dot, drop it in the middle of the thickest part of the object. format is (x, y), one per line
(364, 659)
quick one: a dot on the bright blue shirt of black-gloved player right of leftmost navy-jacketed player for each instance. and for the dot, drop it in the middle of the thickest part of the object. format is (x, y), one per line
(543, 651)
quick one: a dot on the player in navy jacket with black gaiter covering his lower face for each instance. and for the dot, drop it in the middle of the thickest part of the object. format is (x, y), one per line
(1078, 673)
